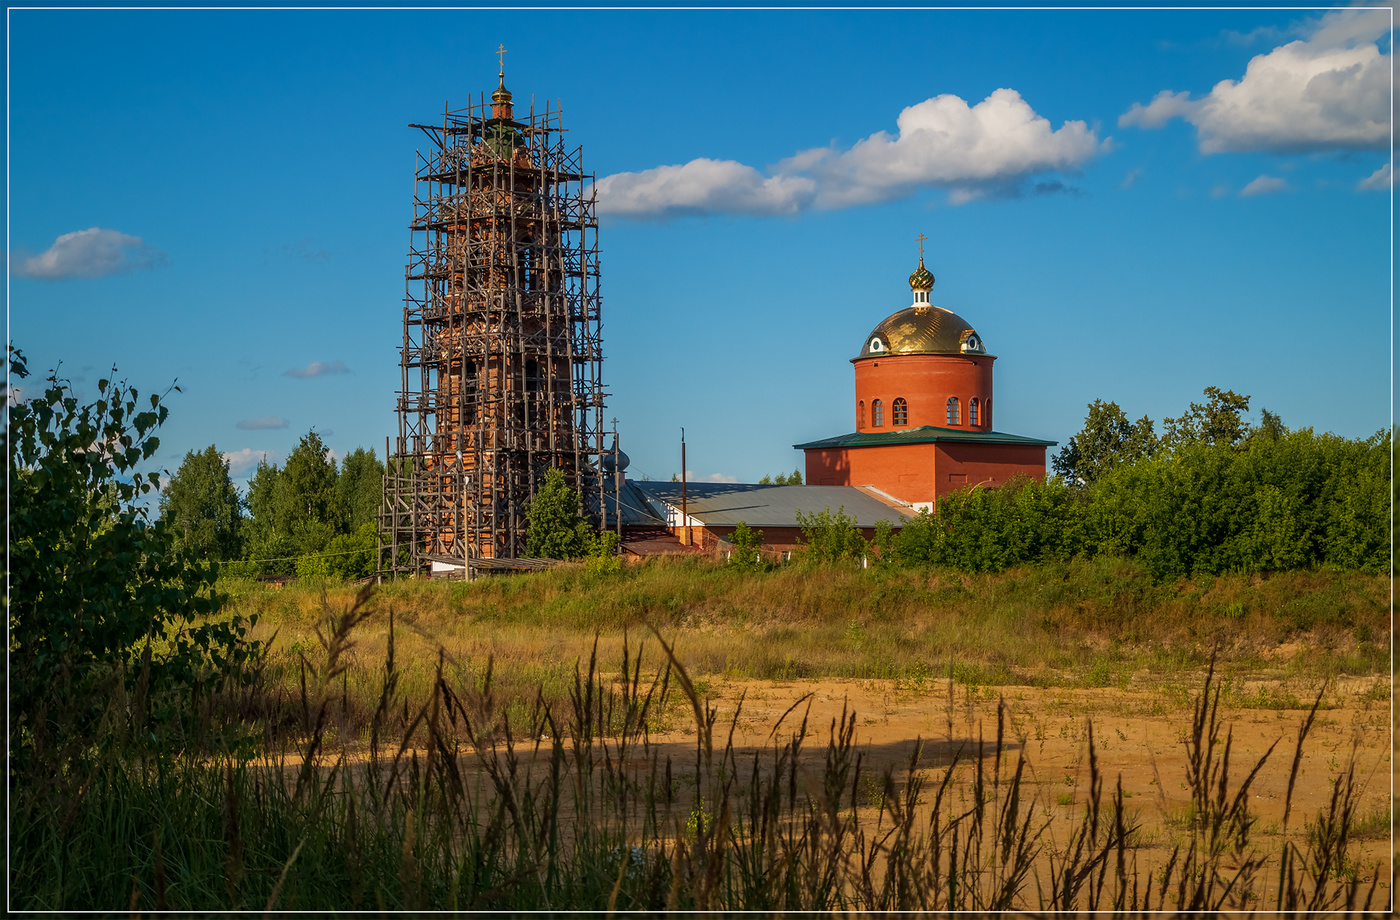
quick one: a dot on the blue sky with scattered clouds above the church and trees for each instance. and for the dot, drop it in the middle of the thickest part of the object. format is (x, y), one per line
(1128, 205)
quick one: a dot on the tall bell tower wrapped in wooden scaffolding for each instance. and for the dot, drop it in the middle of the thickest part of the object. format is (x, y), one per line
(502, 354)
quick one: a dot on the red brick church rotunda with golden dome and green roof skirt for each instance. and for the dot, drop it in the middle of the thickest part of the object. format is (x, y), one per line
(923, 411)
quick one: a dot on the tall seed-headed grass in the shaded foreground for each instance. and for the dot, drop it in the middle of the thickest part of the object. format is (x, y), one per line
(464, 802)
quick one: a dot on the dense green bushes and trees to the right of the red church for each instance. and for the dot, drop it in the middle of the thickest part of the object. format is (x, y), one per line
(1224, 499)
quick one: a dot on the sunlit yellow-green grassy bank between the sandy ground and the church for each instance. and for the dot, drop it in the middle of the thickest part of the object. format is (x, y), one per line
(1083, 624)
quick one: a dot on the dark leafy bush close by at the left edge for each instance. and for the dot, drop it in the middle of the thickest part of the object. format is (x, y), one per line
(110, 624)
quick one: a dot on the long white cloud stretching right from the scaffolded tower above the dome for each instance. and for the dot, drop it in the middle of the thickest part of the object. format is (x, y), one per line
(985, 151)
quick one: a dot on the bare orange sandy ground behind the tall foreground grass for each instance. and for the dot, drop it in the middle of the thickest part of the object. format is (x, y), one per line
(1137, 734)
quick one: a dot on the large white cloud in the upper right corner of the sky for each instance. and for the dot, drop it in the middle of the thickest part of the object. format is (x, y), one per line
(1326, 93)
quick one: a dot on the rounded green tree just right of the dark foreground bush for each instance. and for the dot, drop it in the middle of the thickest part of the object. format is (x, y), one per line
(202, 508)
